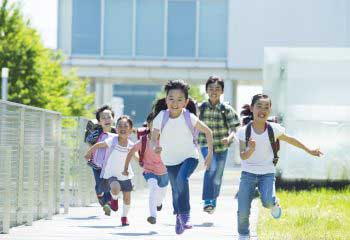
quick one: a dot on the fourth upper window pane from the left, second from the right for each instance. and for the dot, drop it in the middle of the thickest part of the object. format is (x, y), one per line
(181, 28)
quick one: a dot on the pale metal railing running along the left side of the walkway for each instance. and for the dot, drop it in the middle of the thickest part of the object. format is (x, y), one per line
(42, 165)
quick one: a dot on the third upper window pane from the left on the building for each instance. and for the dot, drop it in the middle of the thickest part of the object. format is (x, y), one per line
(150, 27)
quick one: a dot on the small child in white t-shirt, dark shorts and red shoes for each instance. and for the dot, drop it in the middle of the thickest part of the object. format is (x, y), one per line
(118, 146)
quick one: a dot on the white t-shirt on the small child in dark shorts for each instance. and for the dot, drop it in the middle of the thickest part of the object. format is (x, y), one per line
(115, 163)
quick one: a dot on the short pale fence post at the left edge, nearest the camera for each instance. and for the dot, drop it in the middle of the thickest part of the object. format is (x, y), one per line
(6, 218)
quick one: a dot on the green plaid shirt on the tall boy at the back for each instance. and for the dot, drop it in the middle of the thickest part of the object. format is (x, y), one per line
(212, 117)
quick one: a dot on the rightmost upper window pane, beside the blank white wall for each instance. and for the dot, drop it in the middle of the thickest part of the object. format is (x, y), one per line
(213, 28)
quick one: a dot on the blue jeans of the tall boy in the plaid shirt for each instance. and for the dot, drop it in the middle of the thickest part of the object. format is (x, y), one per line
(213, 176)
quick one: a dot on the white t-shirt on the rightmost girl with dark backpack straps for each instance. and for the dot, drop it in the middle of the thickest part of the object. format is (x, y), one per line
(260, 162)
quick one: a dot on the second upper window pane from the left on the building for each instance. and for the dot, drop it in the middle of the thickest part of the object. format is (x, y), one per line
(118, 24)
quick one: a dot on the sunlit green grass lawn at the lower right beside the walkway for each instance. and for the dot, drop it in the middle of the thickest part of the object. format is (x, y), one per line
(316, 214)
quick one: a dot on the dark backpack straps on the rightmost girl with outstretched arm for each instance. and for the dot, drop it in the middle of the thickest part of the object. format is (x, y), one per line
(275, 144)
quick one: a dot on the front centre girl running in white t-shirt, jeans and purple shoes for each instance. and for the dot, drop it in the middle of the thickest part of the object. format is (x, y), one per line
(176, 129)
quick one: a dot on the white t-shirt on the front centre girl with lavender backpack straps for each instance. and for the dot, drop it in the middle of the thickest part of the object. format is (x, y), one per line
(176, 139)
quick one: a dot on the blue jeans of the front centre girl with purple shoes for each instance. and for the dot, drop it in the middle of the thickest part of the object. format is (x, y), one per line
(178, 176)
